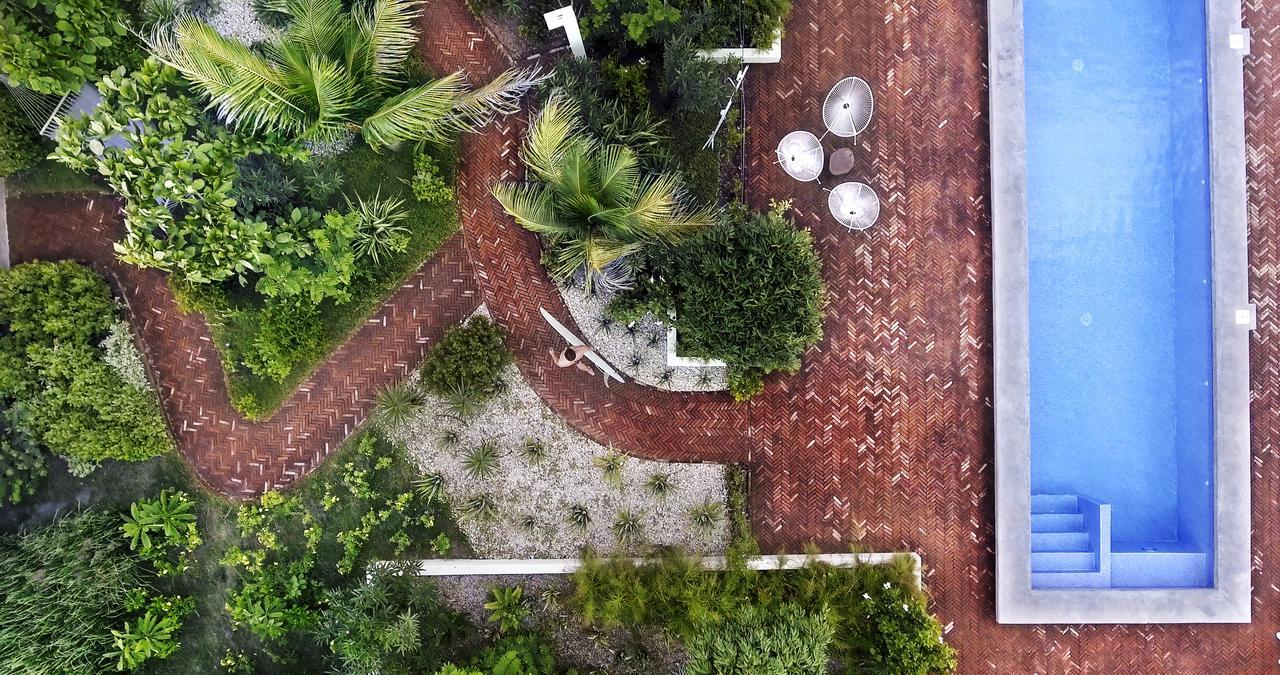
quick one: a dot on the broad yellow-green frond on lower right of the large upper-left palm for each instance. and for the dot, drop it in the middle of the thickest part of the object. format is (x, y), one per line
(418, 115)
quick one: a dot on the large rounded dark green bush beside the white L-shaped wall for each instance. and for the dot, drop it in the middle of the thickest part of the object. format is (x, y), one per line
(748, 290)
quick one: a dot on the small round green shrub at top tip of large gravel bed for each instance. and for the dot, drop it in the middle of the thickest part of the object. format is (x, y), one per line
(472, 357)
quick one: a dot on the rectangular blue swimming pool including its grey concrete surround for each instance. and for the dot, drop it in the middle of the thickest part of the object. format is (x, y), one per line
(1122, 311)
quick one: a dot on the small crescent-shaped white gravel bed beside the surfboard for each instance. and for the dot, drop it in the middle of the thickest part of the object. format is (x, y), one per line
(638, 352)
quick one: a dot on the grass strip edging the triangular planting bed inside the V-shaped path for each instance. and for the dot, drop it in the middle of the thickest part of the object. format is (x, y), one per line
(236, 314)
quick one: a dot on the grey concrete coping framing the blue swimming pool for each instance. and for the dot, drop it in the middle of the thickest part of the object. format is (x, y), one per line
(1229, 600)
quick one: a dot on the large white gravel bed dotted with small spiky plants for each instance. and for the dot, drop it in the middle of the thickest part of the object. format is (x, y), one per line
(566, 477)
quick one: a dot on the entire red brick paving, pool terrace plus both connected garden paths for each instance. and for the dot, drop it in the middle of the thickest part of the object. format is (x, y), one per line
(885, 439)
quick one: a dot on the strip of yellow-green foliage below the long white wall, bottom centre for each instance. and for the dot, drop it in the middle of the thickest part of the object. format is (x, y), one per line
(879, 619)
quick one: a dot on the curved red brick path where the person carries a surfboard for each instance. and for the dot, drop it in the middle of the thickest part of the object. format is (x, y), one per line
(643, 421)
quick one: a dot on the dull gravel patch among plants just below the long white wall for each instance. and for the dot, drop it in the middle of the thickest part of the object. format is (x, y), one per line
(647, 653)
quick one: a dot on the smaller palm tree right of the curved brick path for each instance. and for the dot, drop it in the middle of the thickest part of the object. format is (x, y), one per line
(589, 203)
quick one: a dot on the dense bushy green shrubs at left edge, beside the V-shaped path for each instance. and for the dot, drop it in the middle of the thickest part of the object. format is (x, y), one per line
(72, 382)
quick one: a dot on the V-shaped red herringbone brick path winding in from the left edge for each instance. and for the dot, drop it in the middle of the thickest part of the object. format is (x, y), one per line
(232, 455)
